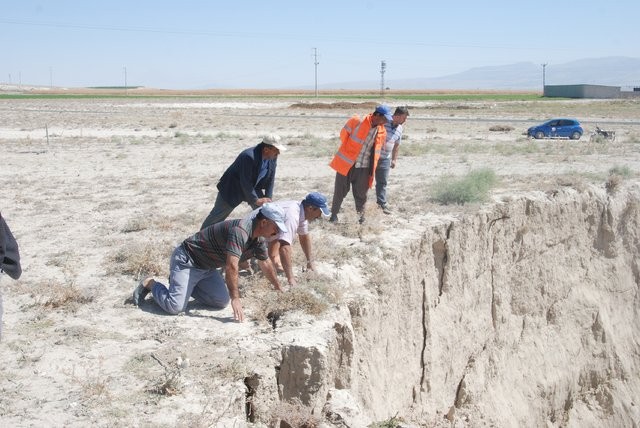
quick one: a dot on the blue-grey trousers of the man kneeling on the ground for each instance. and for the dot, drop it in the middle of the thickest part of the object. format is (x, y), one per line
(185, 280)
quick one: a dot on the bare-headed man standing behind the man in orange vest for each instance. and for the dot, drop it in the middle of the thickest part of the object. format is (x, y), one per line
(389, 155)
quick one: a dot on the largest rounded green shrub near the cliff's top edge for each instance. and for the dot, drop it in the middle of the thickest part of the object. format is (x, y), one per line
(474, 187)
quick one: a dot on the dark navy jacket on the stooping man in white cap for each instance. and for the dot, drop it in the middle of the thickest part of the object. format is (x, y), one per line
(238, 183)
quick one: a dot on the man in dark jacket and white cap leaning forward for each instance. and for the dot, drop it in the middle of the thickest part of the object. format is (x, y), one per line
(249, 178)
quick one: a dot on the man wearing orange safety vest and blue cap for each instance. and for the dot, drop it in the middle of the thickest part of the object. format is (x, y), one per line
(357, 158)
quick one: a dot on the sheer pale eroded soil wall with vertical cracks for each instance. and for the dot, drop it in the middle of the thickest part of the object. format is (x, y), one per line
(521, 315)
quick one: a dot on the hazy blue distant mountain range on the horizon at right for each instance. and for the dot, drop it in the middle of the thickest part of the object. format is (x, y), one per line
(611, 71)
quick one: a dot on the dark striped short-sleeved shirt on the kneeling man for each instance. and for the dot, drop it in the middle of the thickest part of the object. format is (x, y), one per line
(209, 247)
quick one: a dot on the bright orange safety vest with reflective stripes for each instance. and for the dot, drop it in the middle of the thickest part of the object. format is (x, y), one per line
(353, 135)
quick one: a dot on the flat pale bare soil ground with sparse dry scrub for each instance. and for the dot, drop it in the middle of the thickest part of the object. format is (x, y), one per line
(99, 191)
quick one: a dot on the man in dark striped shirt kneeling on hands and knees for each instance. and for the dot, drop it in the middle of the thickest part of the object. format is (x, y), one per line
(195, 263)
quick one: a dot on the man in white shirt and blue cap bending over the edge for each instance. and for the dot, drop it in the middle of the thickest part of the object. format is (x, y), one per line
(298, 216)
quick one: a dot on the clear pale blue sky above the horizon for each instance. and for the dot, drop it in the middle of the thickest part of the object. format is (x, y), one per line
(274, 44)
